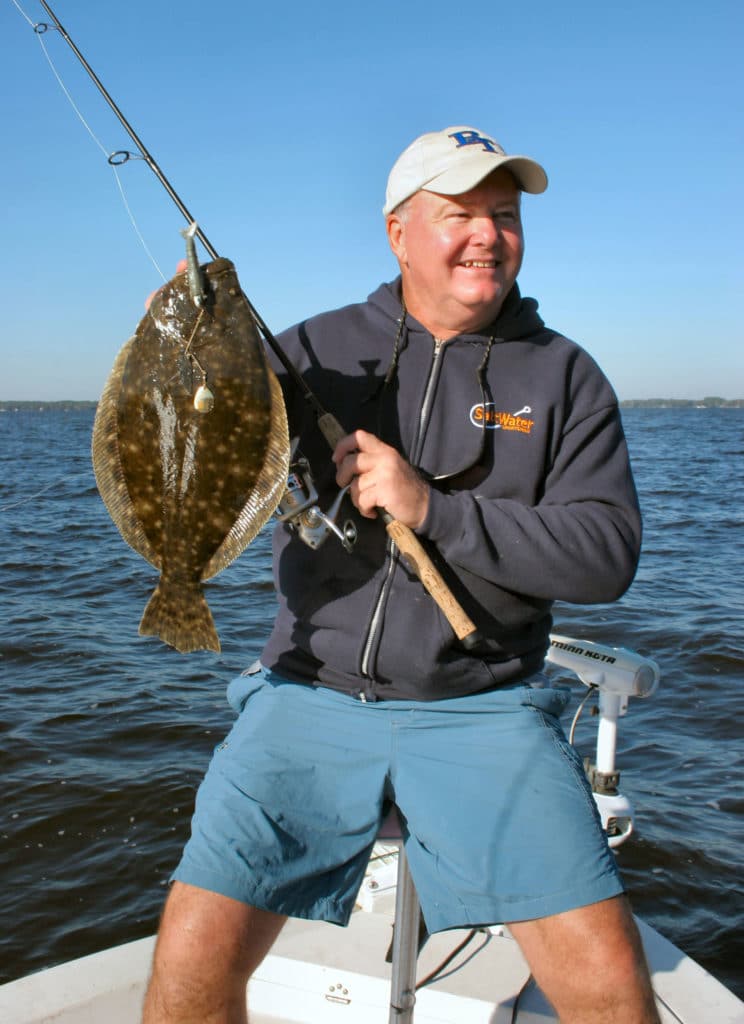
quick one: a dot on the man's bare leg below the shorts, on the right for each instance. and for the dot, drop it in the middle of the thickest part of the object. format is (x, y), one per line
(591, 965)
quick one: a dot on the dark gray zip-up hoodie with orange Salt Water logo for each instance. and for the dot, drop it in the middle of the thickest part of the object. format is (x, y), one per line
(539, 503)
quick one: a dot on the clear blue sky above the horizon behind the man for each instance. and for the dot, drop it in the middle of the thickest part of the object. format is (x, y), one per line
(278, 125)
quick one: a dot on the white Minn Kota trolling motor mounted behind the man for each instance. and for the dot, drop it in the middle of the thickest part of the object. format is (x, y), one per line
(619, 674)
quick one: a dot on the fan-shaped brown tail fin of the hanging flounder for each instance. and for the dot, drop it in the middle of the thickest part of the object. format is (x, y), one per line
(181, 617)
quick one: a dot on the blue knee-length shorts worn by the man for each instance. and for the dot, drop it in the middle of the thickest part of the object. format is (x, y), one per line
(500, 823)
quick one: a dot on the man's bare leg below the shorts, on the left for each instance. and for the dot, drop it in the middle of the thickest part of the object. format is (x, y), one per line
(208, 948)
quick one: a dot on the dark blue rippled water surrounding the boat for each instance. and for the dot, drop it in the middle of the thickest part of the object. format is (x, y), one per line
(105, 736)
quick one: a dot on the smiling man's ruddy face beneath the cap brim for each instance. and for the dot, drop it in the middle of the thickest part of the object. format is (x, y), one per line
(459, 255)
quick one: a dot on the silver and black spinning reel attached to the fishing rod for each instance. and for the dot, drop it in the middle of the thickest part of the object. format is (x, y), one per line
(299, 508)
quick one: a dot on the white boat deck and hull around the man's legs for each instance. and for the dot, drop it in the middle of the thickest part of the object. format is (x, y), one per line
(320, 973)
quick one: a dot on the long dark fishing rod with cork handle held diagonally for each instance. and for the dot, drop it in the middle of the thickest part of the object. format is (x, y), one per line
(411, 548)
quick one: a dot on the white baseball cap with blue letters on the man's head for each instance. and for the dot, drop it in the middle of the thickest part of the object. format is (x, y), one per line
(454, 161)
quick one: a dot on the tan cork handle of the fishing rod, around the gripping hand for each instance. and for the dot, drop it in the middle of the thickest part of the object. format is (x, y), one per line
(415, 556)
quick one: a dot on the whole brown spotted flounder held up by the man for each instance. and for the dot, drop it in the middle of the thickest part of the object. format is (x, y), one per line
(191, 448)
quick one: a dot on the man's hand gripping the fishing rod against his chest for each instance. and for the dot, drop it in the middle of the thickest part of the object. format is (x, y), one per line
(380, 478)
